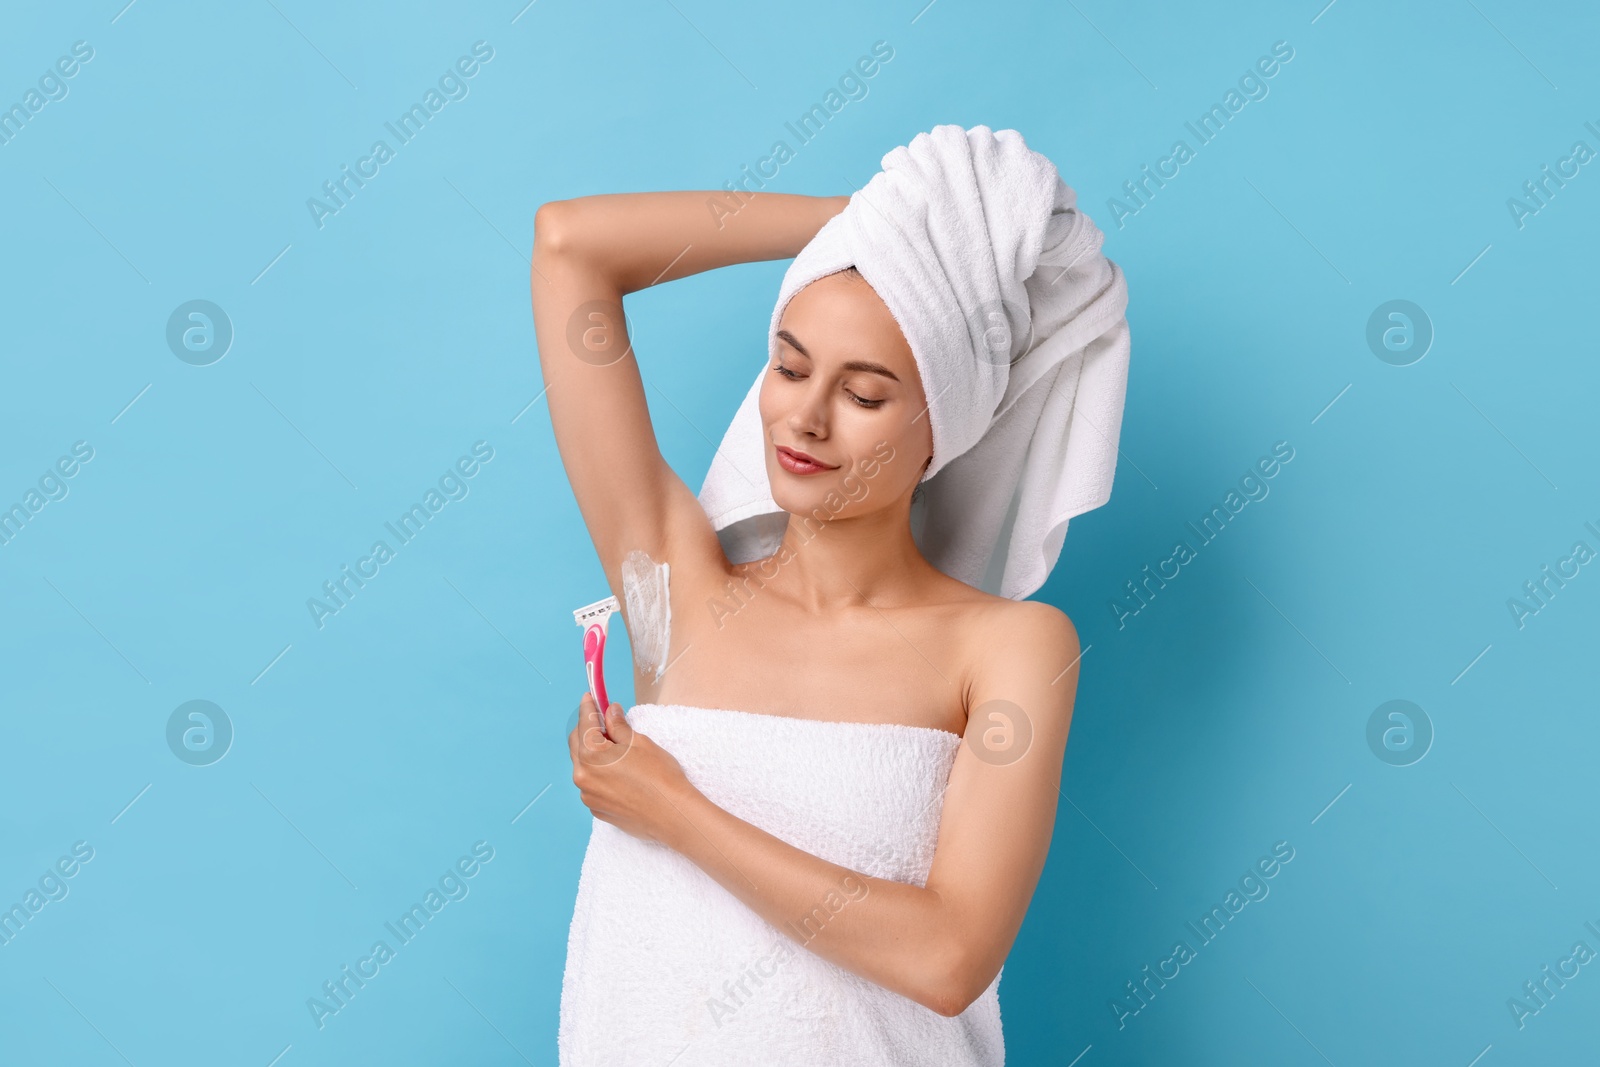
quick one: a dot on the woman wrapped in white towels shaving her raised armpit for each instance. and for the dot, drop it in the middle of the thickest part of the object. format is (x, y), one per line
(820, 829)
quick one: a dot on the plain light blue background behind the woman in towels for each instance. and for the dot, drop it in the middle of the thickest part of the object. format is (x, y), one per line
(428, 714)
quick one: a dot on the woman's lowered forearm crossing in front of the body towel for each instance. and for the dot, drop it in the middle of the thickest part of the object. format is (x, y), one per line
(889, 933)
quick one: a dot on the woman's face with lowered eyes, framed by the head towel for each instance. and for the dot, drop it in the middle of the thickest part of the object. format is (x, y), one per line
(844, 391)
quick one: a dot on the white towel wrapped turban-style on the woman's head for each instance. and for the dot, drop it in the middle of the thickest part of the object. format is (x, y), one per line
(1017, 322)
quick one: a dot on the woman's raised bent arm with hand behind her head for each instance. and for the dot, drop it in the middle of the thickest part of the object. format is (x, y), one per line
(588, 254)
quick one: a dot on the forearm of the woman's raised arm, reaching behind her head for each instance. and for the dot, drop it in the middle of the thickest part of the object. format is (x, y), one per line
(641, 239)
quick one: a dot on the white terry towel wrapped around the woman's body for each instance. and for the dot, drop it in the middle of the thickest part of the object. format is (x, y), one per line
(666, 967)
